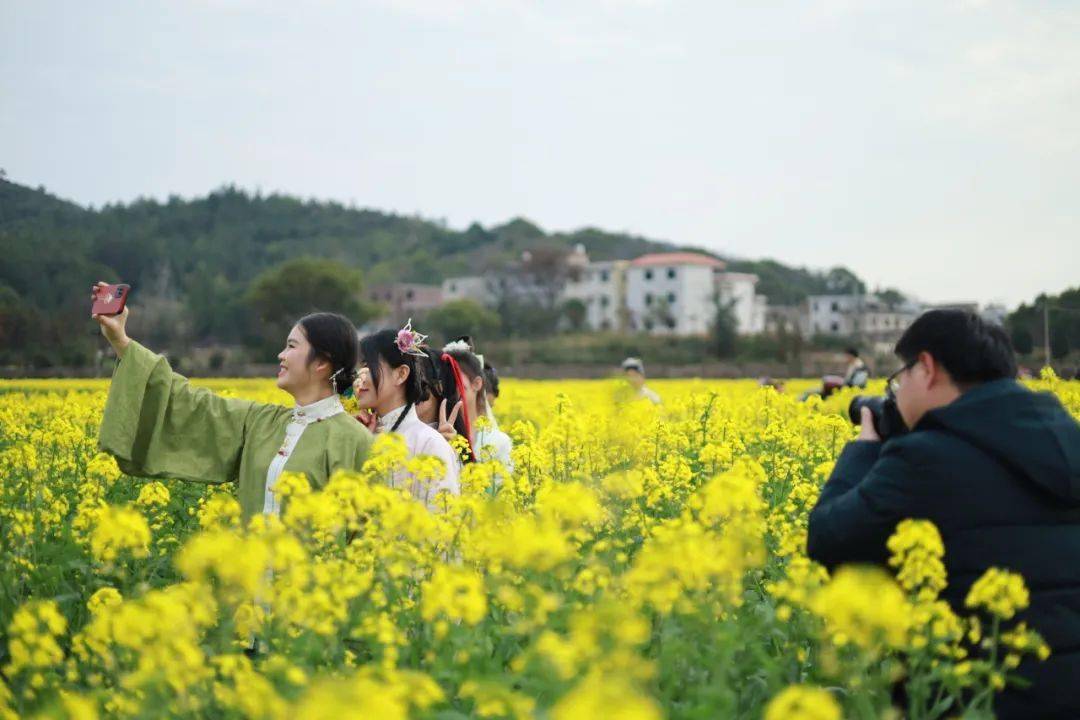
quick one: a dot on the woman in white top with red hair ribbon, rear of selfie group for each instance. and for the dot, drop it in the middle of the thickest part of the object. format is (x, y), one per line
(463, 381)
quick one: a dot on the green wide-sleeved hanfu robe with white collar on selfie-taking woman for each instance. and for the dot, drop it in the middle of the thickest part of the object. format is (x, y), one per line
(158, 426)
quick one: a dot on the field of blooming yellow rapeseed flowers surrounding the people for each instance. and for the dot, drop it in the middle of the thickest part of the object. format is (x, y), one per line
(640, 562)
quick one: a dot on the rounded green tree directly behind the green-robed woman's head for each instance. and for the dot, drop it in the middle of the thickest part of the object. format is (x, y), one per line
(286, 293)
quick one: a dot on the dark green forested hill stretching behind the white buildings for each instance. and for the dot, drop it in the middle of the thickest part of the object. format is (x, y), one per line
(201, 256)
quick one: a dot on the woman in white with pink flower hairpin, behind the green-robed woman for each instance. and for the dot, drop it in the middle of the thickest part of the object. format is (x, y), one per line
(389, 386)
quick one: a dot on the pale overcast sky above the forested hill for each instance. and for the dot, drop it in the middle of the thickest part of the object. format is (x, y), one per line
(928, 145)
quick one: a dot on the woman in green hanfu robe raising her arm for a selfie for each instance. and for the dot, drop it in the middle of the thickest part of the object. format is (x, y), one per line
(158, 426)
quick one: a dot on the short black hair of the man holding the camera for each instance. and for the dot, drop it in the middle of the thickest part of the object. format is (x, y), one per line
(970, 349)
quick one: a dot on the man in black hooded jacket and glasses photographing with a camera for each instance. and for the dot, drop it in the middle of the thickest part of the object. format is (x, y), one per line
(995, 467)
